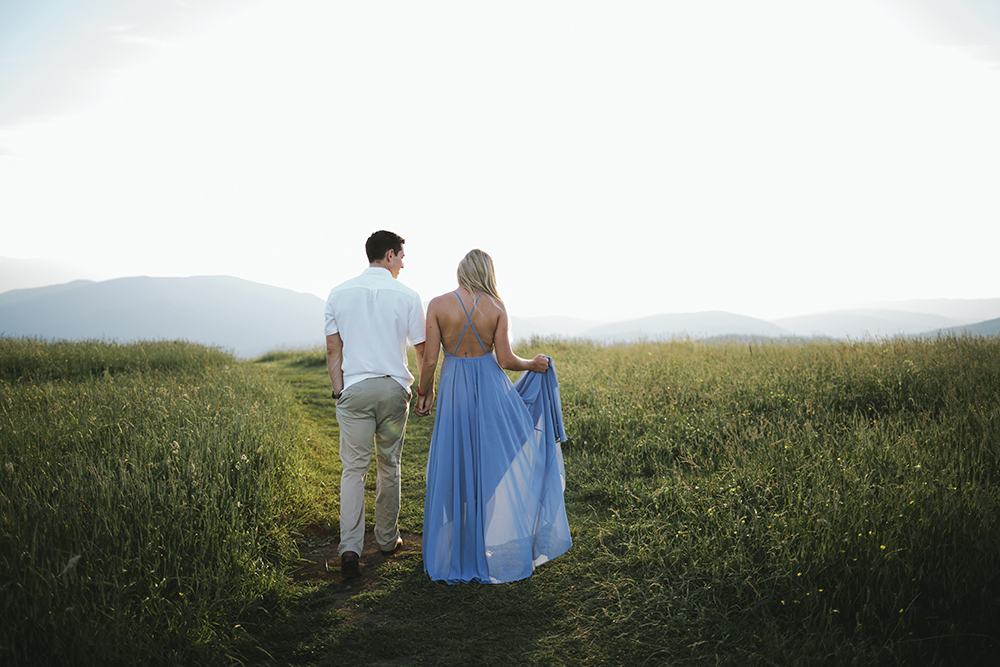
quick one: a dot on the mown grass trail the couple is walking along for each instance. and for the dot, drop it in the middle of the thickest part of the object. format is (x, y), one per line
(396, 615)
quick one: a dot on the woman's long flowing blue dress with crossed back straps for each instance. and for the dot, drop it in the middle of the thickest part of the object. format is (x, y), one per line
(494, 508)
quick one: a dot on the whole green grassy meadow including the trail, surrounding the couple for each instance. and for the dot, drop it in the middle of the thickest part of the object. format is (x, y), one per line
(817, 503)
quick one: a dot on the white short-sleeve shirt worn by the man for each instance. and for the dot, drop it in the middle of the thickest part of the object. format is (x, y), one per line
(375, 316)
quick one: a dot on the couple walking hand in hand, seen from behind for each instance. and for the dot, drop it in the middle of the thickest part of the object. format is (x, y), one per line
(494, 506)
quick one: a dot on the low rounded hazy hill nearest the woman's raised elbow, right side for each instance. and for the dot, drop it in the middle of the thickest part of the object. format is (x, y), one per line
(708, 324)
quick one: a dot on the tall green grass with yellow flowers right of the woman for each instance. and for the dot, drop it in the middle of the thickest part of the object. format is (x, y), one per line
(808, 503)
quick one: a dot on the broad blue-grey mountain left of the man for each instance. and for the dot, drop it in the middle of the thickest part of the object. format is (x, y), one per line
(243, 317)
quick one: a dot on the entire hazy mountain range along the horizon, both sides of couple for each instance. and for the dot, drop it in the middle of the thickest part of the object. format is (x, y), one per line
(250, 318)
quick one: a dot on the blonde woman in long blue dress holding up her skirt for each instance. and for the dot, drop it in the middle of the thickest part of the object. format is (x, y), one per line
(494, 508)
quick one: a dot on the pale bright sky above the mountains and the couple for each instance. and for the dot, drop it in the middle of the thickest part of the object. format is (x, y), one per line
(617, 159)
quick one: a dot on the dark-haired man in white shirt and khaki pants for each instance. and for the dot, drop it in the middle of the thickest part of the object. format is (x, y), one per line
(368, 322)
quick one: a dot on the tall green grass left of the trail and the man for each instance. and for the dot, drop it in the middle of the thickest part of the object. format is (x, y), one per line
(143, 497)
